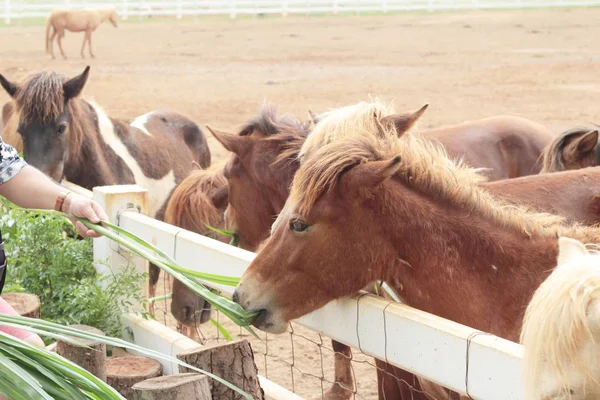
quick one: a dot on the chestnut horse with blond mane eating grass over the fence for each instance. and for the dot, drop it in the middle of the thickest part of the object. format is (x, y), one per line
(428, 177)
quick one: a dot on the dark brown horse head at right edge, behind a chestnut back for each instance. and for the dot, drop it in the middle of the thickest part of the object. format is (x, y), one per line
(574, 148)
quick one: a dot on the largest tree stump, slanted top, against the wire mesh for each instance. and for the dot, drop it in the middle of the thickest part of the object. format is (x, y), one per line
(234, 362)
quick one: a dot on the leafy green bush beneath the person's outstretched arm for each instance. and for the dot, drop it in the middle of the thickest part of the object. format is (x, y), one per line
(46, 257)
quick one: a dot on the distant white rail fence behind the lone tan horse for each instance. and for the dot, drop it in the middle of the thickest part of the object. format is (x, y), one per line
(26, 9)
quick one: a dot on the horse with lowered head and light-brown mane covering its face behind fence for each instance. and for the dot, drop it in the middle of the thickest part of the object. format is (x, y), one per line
(197, 202)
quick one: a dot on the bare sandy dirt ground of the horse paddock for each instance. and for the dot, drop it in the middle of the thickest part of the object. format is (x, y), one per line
(539, 64)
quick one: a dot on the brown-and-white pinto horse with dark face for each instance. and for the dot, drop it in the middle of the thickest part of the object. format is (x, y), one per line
(68, 137)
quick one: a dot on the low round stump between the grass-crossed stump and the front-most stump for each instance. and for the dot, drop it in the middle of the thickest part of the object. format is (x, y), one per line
(124, 372)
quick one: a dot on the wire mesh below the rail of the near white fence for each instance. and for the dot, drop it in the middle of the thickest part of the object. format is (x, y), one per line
(301, 360)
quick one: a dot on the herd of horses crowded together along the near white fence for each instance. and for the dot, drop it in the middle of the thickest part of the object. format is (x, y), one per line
(465, 222)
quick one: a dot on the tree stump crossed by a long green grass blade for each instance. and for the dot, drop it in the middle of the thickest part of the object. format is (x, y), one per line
(92, 359)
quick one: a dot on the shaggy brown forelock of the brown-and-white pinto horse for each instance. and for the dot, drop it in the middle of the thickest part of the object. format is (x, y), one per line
(41, 98)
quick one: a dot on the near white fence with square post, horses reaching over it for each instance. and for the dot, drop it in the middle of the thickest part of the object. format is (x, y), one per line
(442, 351)
